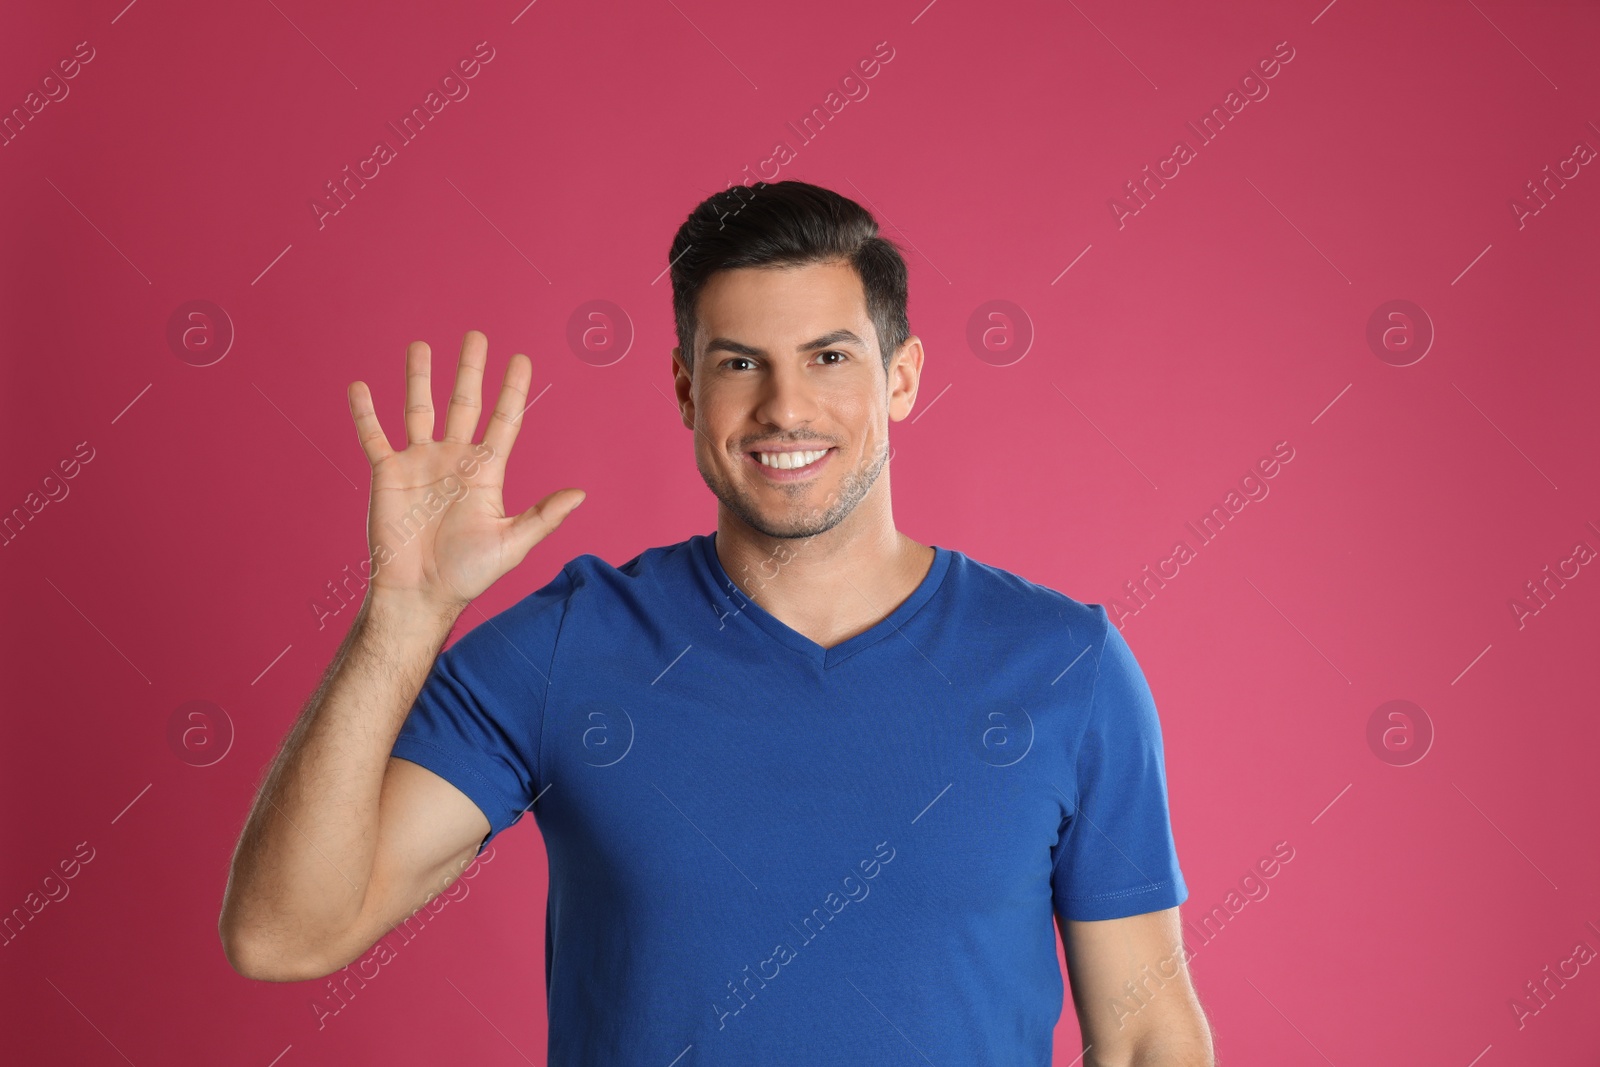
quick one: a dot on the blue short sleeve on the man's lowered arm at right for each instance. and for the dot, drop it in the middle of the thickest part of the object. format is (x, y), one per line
(1116, 855)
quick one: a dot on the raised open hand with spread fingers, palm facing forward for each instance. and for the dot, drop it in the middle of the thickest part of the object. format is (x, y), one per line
(438, 527)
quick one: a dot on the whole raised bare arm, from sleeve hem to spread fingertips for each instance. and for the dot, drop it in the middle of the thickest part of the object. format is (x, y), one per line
(345, 841)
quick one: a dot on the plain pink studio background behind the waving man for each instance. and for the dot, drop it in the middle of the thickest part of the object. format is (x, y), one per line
(1226, 316)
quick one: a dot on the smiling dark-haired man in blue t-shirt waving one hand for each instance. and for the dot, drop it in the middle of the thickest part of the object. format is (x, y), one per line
(812, 793)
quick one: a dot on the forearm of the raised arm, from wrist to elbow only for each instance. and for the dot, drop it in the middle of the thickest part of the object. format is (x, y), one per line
(305, 858)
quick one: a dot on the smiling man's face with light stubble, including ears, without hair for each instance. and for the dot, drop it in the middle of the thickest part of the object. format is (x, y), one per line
(790, 367)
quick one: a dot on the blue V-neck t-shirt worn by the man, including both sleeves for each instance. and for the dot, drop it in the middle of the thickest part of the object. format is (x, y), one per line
(767, 852)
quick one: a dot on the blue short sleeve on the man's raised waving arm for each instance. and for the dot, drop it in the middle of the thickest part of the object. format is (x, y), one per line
(479, 714)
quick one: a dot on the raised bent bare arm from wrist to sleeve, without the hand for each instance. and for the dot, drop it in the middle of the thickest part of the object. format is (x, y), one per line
(308, 865)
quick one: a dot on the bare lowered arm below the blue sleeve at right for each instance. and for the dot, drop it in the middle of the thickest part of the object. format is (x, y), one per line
(1132, 993)
